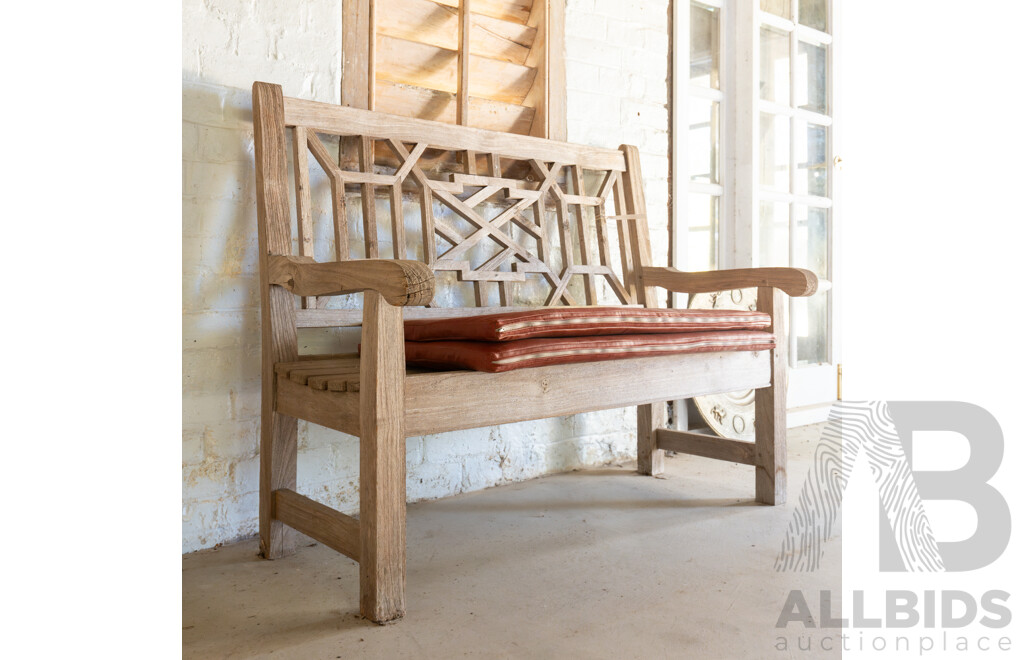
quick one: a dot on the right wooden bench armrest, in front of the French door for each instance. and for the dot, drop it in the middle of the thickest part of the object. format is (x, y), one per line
(796, 282)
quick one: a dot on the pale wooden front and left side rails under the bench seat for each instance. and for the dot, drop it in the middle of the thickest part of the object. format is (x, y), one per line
(327, 391)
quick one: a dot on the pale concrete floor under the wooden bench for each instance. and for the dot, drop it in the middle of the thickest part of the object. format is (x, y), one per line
(594, 564)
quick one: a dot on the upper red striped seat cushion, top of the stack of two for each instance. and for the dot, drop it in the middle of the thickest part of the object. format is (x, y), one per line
(583, 322)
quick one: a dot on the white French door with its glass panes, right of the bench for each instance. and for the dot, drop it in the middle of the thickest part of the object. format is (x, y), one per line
(754, 153)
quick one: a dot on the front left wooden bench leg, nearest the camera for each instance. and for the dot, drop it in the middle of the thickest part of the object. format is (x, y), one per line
(382, 462)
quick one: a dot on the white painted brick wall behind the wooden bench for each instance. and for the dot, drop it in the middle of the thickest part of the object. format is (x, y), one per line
(617, 66)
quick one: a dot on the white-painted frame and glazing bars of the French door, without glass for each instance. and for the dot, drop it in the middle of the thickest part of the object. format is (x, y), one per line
(812, 388)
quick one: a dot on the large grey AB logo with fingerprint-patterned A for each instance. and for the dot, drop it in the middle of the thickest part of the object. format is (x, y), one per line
(883, 433)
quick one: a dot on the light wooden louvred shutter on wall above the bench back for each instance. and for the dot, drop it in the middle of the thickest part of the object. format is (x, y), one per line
(497, 65)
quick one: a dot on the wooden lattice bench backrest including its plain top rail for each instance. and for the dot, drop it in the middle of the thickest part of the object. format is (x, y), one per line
(502, 219)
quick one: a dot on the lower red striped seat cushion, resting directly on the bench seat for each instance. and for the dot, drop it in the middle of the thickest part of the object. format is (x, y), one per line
(505, 357)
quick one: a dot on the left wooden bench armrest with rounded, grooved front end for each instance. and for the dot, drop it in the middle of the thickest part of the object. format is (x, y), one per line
(402, 283)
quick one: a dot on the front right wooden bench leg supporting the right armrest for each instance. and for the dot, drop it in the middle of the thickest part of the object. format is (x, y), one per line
(770, 411)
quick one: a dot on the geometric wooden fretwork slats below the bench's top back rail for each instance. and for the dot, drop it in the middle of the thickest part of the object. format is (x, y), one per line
(505, 208)
